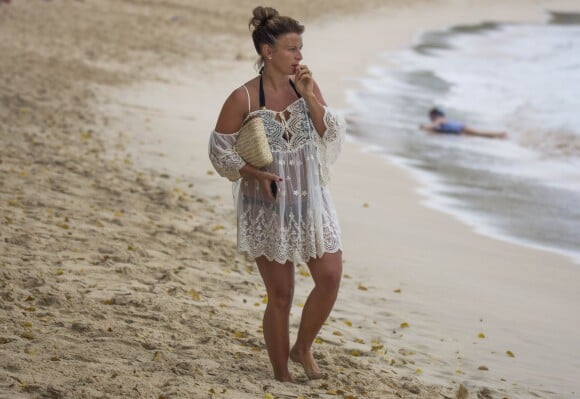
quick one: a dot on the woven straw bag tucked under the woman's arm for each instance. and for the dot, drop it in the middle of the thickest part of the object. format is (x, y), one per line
(252, 143)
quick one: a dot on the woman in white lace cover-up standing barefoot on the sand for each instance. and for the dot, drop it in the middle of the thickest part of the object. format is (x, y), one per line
(285, 213)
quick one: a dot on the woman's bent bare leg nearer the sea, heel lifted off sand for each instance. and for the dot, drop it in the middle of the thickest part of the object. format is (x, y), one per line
(326, 272)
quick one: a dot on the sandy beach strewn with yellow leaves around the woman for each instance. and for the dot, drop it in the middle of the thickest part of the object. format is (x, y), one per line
(119, 276)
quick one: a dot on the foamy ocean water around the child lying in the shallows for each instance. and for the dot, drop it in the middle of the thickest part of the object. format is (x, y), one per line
(520, 78)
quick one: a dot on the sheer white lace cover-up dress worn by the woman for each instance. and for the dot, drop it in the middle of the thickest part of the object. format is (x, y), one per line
(302, 222)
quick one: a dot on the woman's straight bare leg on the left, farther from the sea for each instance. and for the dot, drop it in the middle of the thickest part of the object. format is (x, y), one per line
(279, 281)
